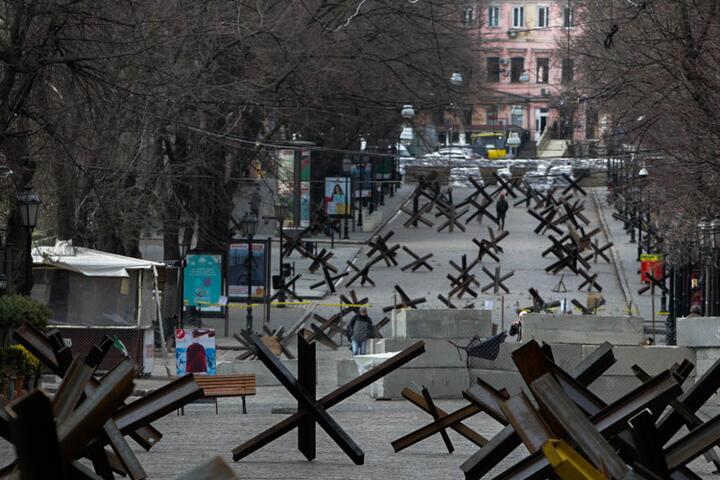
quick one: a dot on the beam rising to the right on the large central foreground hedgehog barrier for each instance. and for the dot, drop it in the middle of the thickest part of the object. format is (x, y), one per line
(331, 399)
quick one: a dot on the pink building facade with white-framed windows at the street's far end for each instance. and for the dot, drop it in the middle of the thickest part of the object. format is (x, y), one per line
(523, 66)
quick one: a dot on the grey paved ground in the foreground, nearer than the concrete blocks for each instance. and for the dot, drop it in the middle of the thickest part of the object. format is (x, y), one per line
(200, 434)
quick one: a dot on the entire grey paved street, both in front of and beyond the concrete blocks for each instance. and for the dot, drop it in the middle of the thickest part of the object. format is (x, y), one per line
(200, 434)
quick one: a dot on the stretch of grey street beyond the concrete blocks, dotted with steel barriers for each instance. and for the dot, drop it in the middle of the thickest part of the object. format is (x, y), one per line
(522, 255)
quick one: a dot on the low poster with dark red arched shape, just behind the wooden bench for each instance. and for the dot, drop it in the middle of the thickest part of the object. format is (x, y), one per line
(195, 351)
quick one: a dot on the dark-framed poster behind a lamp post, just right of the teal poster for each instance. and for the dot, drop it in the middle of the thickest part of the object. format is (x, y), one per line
(238, 261)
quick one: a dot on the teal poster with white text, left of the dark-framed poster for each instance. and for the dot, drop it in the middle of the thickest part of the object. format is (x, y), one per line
(202, 281)
